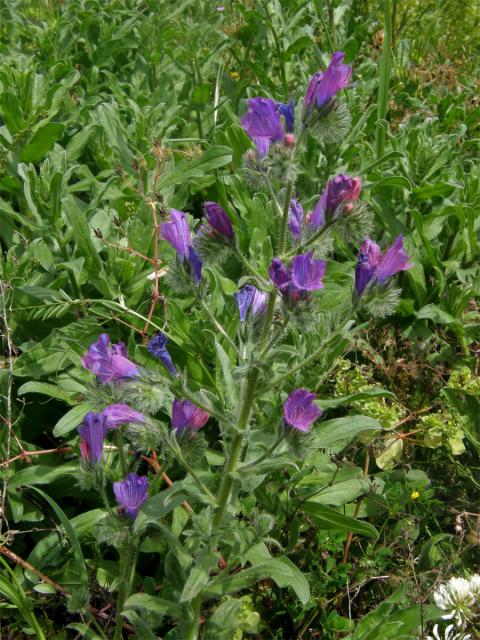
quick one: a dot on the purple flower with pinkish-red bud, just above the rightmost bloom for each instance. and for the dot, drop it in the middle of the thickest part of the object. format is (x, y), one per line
(339, 192)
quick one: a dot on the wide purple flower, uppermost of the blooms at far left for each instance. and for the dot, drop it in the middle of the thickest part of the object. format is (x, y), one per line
(109, 362)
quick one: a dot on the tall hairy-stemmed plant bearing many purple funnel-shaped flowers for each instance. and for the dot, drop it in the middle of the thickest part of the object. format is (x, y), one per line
(247, 412)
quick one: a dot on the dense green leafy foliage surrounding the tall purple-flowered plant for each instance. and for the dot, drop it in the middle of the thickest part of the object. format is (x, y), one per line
(106, 106)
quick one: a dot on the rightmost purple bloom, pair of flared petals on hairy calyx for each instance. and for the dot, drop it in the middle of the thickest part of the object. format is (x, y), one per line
(372, 266)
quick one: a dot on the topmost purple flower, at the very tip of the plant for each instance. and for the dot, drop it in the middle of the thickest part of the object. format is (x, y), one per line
(324, 87)
